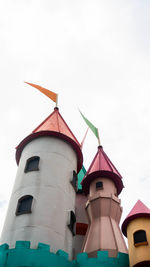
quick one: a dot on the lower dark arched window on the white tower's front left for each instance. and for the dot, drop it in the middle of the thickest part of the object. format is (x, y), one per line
(24, 205)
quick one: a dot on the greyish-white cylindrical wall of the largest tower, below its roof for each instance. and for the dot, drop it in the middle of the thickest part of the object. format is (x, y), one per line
(53, 196)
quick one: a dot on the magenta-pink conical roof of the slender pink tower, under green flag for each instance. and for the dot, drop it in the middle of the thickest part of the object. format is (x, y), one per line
(101, 166)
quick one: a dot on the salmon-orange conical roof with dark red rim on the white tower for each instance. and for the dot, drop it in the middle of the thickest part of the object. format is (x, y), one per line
(53, 125)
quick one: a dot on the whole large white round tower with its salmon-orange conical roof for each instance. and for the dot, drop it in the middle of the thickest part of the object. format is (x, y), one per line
(42, 204)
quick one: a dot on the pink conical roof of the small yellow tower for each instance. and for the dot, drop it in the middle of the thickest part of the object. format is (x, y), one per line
(139, 210)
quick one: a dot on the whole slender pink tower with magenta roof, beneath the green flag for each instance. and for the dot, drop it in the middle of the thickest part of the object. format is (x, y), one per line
(103, 183)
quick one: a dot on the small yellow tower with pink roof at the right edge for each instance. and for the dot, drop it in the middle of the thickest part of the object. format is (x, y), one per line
(136, 227)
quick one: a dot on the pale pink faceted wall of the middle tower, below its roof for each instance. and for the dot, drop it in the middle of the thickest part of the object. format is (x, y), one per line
(104, 213)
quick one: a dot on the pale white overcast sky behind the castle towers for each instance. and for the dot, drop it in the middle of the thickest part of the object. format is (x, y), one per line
(96, 55)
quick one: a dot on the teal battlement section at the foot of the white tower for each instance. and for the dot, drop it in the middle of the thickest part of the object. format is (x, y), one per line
(23, 255)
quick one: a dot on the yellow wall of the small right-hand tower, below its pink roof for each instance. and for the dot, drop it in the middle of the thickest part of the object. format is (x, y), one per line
(142, 252)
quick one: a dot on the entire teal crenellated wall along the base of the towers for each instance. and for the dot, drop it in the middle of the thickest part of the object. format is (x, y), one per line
(23, 256)
